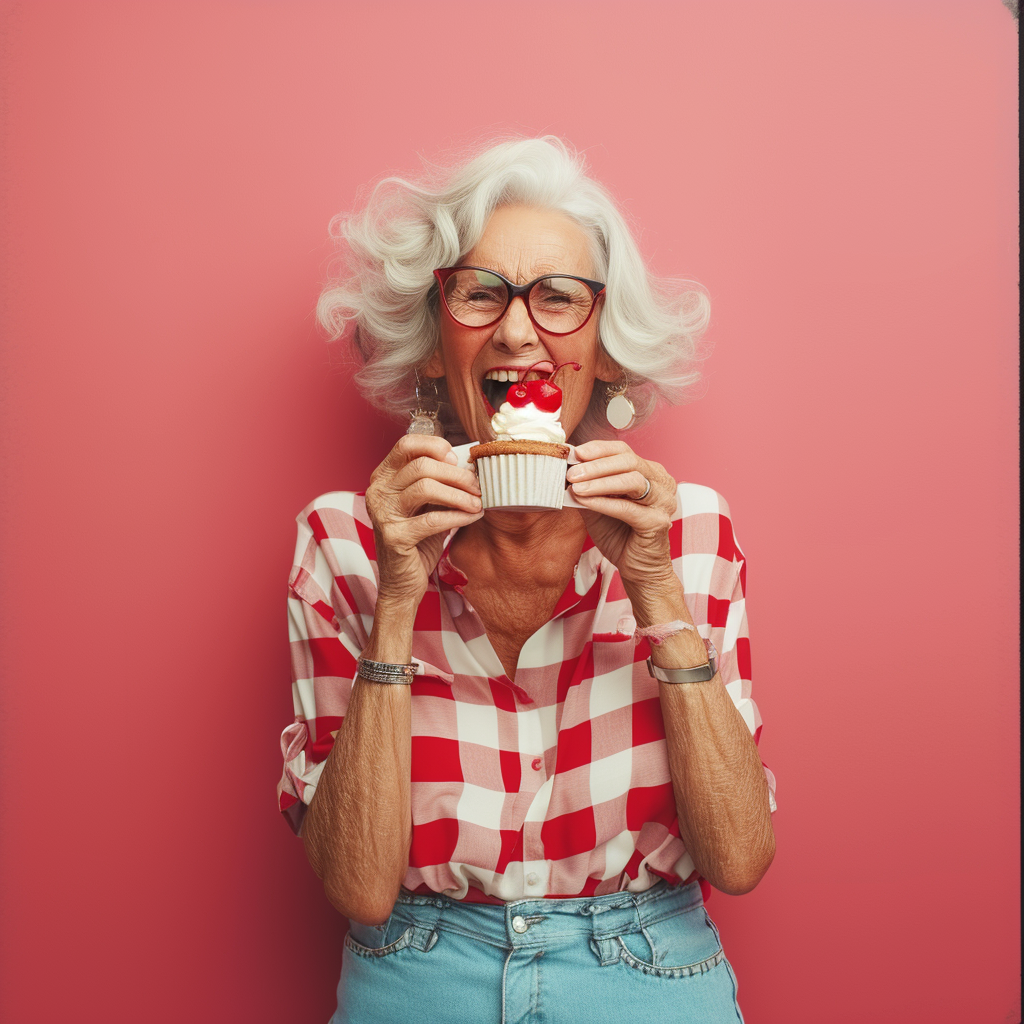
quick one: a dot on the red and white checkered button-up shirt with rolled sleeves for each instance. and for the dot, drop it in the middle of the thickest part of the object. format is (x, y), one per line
(556, 785)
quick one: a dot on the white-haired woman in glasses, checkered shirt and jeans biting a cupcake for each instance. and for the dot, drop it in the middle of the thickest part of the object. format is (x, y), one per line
(525, 743)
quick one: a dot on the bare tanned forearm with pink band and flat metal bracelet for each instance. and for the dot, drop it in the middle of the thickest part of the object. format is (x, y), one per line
(719, 783)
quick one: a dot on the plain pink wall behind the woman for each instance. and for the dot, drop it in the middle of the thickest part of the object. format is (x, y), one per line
(842, 178)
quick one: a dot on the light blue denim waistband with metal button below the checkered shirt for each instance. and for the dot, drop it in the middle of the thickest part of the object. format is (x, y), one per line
(538, 922)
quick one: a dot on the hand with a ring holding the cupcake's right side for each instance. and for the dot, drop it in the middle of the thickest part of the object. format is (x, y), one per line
(630, 529)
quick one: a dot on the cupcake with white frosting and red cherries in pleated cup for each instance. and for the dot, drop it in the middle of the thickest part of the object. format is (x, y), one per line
(525, 466)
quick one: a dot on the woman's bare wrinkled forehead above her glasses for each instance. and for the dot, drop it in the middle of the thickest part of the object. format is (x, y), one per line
(524, 243)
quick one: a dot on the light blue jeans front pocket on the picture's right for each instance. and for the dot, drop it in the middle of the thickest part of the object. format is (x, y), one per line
(678, 947)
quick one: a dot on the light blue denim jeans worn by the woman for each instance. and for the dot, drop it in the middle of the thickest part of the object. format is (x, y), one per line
(645, 957)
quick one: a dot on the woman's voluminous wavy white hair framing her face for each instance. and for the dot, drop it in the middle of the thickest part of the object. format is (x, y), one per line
(385, 294)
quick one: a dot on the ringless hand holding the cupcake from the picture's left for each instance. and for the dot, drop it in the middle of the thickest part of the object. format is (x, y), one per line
(415, 497)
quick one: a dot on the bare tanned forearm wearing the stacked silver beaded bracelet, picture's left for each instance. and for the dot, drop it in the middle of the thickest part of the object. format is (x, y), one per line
(359, 825)
